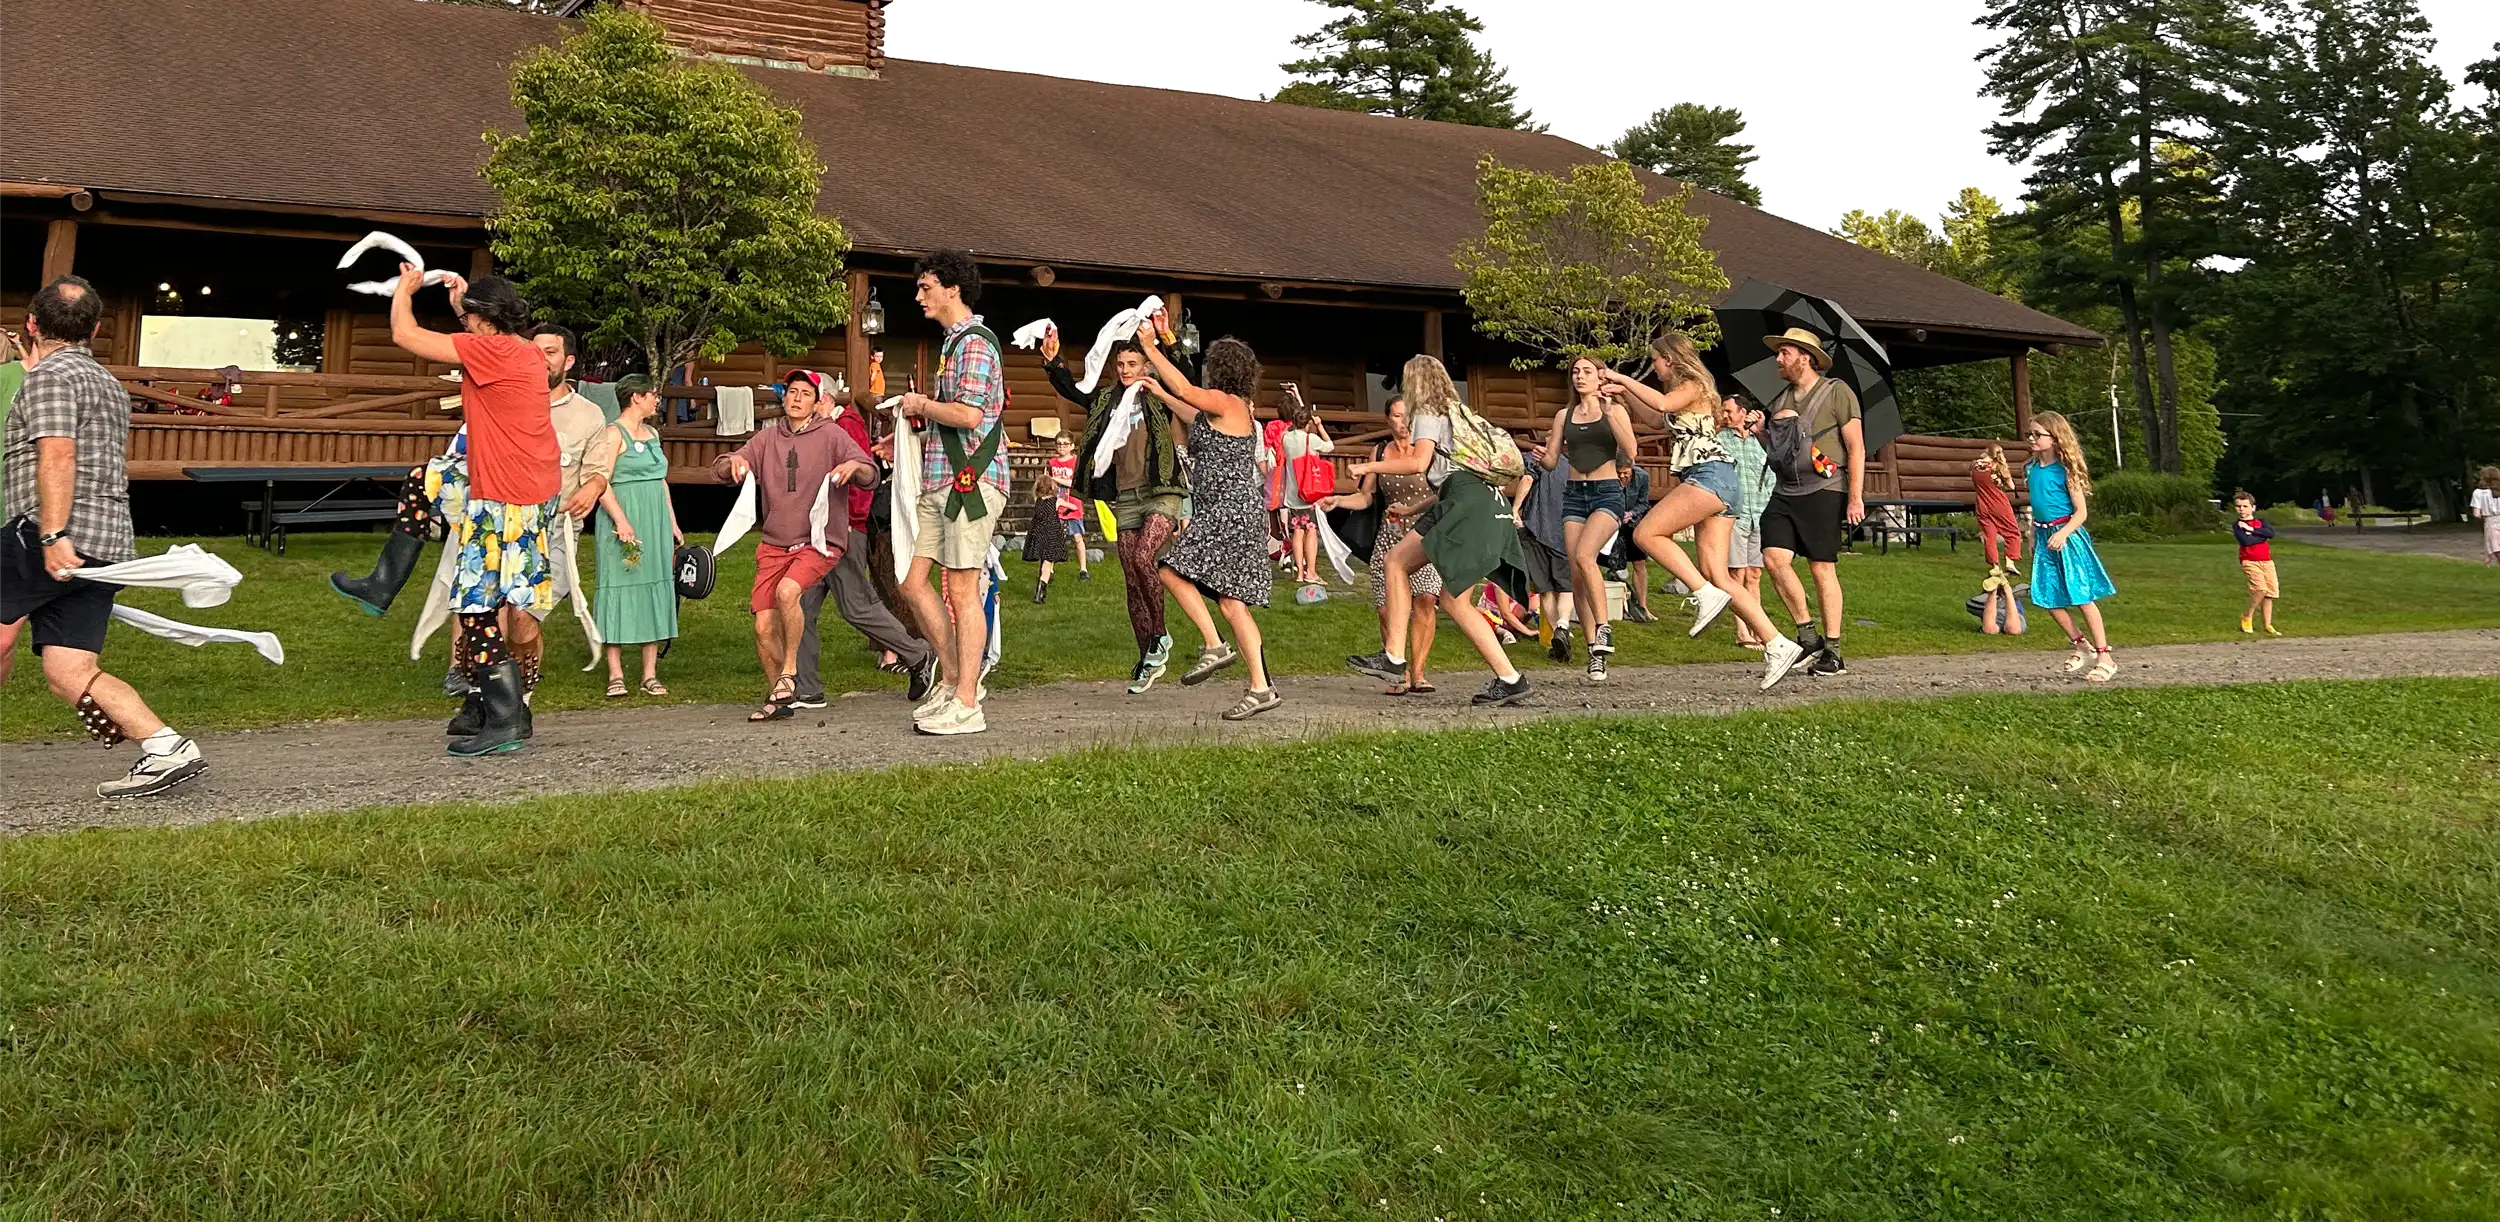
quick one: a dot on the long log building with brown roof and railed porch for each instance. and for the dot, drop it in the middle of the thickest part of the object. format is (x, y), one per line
(231, 149)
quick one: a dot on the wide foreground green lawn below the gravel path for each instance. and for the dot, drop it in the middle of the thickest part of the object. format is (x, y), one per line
(2134, 956)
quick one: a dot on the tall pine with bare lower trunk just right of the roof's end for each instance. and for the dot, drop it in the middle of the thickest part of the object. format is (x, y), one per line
(2104, 101)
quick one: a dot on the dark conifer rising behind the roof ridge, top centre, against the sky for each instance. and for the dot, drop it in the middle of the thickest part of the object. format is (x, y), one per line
(1409, 59)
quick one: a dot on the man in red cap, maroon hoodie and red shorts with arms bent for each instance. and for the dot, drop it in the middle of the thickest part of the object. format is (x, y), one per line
(791, 464)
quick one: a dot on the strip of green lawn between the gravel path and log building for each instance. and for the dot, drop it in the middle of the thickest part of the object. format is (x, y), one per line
(344, 663)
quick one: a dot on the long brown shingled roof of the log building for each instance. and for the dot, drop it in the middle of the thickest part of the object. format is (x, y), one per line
(381, 104)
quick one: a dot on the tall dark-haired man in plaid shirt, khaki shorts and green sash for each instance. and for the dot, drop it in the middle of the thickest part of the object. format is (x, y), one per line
(964, 491)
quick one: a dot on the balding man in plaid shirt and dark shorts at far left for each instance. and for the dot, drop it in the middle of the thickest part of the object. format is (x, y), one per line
(69, 504)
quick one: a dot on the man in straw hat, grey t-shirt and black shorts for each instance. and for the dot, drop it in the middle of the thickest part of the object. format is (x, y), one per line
(1819, 459)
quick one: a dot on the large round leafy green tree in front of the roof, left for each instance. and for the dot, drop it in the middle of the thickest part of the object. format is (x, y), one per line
(664, 204)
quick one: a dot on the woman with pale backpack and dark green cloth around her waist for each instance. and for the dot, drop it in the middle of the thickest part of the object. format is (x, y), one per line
(1466, 531)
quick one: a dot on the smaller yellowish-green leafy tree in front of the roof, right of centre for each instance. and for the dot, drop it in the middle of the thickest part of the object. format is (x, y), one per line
(1586, 264)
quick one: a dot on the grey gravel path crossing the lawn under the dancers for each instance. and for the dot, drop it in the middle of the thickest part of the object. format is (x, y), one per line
(344, 766)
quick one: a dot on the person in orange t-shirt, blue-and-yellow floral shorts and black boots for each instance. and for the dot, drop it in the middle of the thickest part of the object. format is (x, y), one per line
(511, 504)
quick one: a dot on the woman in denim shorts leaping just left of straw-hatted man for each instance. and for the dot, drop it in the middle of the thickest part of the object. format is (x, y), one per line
(1706, 496)
